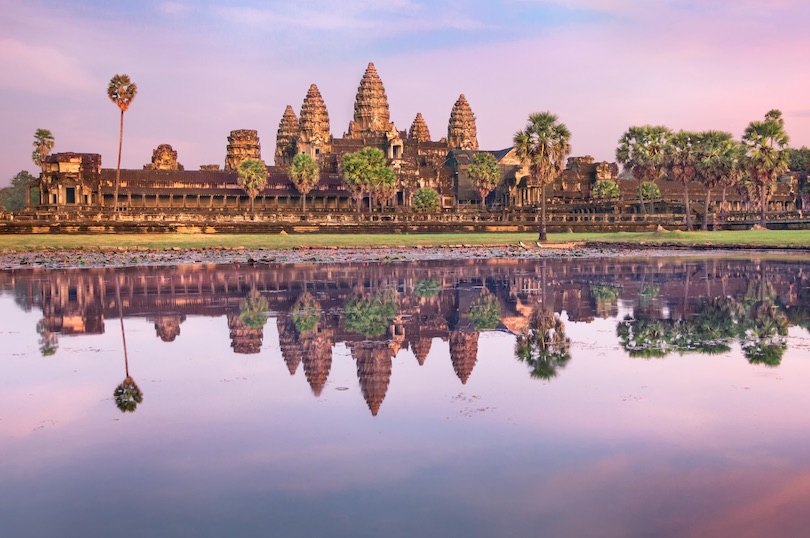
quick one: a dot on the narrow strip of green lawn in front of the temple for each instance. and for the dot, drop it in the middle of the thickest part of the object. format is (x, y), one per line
(751, 238)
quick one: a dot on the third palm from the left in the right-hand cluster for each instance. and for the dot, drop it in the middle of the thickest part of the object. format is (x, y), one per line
(716, 158)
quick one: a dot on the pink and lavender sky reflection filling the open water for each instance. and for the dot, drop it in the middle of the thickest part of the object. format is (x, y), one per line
(228, 444)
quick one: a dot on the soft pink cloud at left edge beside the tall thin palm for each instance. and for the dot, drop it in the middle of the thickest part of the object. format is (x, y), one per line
(42, 70)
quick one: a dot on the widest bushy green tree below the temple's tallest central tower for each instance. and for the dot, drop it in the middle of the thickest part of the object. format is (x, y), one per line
(366, 172)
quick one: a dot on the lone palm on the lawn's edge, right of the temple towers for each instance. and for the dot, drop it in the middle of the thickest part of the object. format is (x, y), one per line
(543, 145)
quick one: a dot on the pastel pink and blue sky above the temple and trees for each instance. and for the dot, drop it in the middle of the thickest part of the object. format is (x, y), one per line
(204, 68)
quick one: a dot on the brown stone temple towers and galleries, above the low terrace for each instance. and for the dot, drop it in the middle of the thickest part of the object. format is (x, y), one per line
(76, 181)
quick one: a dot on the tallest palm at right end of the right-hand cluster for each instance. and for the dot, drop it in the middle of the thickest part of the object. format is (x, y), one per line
(766, 144)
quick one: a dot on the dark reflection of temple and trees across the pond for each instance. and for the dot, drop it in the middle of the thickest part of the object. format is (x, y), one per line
(661, 306)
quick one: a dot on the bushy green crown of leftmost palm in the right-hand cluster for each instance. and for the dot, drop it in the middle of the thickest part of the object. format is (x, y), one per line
(642, 150)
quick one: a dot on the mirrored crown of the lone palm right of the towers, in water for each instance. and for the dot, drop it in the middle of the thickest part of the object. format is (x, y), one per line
(544, 346)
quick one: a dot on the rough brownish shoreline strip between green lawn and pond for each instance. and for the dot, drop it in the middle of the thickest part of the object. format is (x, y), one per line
(122, 257)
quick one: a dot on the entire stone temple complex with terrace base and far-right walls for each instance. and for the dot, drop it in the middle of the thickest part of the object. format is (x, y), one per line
(74, 186)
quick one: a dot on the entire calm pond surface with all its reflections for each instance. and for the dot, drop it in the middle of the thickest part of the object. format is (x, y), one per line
(606, 397)
